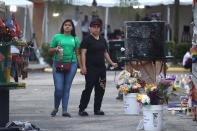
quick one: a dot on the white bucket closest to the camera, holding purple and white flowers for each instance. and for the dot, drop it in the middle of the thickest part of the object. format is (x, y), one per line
(153, 117)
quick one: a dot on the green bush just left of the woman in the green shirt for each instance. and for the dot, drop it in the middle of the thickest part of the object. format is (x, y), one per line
(44, 53)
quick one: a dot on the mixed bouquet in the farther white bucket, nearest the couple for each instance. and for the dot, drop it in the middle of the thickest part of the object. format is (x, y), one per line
(130, 82)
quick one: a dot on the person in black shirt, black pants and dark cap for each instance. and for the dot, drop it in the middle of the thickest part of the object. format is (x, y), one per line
(93, 54)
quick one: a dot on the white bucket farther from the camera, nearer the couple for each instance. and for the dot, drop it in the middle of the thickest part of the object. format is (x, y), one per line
(131, 106)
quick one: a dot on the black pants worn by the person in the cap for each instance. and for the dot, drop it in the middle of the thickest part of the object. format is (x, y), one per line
(95, 77)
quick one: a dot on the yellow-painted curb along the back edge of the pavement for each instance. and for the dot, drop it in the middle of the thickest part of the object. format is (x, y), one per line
(170, 69)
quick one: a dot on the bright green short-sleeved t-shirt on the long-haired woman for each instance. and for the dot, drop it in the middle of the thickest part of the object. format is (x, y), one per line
(68, 45)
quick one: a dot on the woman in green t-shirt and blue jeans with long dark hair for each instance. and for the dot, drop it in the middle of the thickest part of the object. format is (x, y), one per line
(67, 41)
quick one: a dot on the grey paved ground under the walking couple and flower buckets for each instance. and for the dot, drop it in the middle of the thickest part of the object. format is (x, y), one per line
(35, 103)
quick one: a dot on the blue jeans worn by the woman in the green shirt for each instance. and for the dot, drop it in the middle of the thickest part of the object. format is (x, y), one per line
(62, 83)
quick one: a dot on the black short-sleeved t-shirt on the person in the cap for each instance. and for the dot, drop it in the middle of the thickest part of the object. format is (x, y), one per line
(95, 51)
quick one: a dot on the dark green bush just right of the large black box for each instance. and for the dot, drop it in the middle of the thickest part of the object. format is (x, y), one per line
(177, 50)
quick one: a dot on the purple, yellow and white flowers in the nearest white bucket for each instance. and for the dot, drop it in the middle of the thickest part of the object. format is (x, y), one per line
(156, 94)
